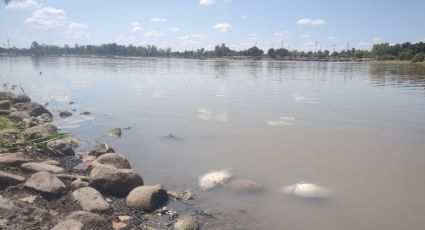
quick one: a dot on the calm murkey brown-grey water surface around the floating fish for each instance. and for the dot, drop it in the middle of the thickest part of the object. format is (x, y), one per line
(356, 129)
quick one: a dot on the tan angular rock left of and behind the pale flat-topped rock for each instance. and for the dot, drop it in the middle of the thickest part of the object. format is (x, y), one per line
(45, 183)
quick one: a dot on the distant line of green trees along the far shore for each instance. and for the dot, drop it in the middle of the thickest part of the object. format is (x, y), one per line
(385, 51)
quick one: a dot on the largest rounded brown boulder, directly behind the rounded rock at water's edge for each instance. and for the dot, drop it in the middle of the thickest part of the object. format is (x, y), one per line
(110, 180)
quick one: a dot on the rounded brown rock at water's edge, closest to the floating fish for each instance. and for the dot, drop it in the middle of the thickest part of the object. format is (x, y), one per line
(149, 198)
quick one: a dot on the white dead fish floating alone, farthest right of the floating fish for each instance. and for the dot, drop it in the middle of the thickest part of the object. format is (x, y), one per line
(306, 190)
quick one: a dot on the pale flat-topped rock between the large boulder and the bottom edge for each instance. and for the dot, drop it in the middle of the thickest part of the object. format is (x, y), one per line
(90, 199)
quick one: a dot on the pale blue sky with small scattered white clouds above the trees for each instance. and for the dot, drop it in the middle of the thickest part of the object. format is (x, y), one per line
(192, 24)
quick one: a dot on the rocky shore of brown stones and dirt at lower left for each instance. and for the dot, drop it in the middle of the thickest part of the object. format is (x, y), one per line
(46, 184)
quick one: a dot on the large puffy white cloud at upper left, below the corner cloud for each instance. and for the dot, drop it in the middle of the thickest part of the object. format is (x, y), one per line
(47, 18)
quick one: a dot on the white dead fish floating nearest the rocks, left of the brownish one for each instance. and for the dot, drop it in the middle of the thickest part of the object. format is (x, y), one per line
(213, 179)
